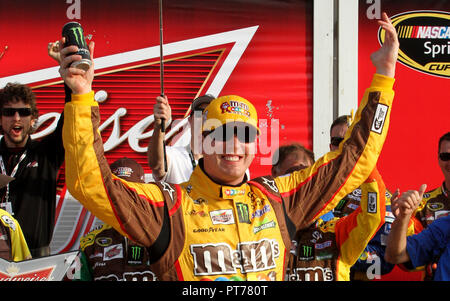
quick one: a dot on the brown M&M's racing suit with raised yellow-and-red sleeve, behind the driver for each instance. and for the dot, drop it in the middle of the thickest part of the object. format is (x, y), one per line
(328, 251)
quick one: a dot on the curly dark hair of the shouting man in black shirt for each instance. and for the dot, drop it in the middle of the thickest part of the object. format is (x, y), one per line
(14, 92)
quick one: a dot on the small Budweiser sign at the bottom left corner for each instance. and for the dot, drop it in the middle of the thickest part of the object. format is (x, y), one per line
(50, 268)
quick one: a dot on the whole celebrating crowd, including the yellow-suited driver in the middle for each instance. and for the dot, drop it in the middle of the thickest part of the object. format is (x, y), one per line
(204, 218)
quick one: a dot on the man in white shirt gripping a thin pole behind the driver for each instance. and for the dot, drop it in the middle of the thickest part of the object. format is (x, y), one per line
(181, 160)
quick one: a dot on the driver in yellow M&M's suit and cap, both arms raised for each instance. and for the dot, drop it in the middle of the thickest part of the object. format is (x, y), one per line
(218, 225)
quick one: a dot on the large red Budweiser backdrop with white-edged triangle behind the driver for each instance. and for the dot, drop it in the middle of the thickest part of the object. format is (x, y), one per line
(259, 50)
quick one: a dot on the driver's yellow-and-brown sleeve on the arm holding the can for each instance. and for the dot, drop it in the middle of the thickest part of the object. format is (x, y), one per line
(120, 204)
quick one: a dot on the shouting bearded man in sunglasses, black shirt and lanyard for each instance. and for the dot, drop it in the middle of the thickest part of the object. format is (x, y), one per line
(31, 197)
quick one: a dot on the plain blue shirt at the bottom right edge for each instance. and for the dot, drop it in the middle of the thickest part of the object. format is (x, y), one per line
(431, 244)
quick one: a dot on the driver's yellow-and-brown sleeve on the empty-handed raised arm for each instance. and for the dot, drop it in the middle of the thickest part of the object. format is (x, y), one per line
(312, 192)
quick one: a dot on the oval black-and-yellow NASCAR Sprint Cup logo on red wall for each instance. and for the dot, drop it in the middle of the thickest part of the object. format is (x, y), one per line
(424, 38)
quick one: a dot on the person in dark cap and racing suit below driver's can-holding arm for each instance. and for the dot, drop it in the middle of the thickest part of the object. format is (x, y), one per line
(106, 254)
